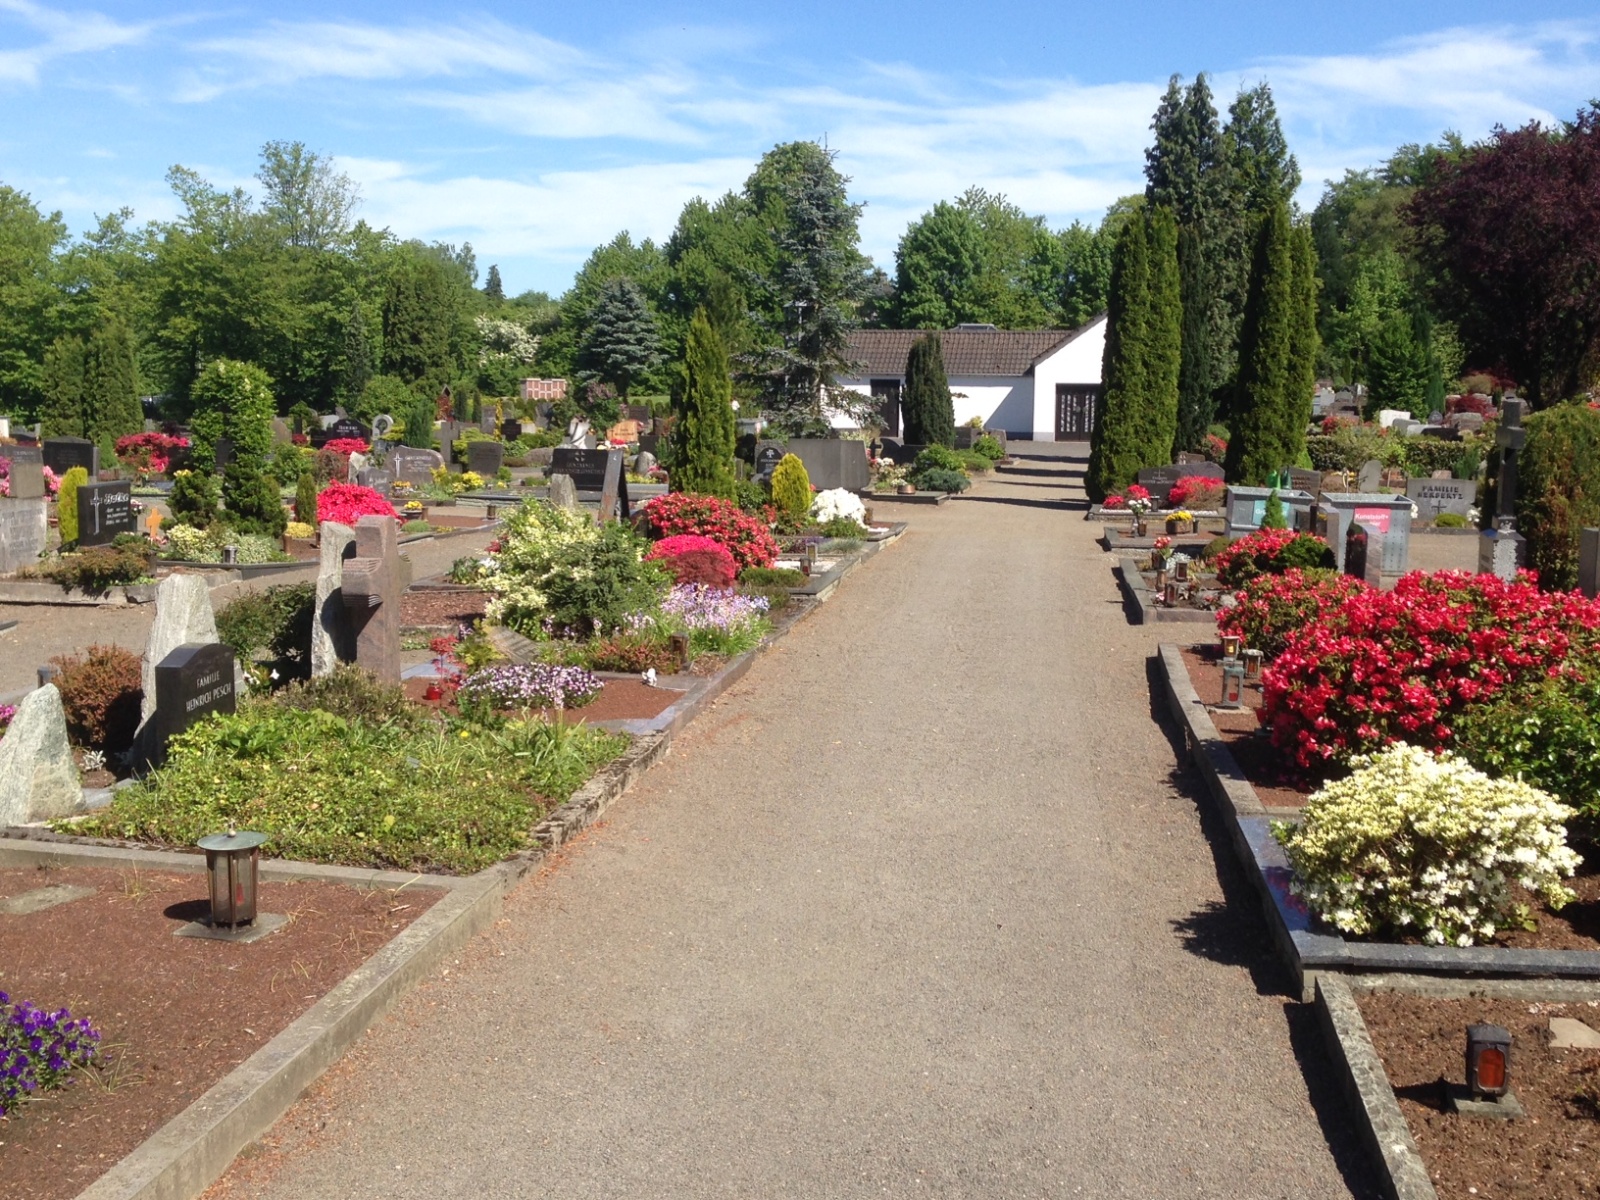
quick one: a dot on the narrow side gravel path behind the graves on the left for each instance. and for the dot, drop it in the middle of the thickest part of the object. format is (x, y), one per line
(46, 631)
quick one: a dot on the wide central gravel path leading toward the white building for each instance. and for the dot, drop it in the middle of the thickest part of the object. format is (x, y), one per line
(919, 908)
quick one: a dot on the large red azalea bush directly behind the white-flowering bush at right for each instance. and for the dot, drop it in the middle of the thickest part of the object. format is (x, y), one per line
(1399, 666)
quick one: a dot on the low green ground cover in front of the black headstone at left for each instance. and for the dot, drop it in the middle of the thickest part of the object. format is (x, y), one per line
(345, 770)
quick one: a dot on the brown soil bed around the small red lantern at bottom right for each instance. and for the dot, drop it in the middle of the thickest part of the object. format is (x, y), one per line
(1553, 1154)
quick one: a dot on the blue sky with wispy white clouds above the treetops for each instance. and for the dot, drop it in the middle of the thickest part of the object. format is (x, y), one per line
(540, 130)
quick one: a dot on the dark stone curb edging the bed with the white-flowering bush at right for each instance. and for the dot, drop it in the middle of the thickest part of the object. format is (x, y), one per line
(1306, 948)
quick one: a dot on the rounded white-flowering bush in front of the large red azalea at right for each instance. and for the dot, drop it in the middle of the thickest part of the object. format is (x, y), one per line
(1422, 844)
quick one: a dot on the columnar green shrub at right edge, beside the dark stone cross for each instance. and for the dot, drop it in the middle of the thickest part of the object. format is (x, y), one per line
(1559, 490)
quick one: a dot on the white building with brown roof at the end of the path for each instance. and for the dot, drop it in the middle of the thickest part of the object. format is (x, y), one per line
(1036, 385)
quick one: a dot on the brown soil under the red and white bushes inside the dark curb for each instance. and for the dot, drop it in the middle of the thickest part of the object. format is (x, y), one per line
(1577, 927)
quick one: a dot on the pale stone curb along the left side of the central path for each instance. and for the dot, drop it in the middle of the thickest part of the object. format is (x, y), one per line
(193, 1150)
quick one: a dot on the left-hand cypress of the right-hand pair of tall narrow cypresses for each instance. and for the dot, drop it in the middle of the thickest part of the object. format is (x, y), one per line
(1260, 441)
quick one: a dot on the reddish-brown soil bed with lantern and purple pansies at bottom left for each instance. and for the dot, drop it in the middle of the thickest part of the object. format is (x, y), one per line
(175, 1014)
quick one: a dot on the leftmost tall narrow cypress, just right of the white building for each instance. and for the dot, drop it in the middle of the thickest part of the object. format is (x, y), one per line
(1114, 447)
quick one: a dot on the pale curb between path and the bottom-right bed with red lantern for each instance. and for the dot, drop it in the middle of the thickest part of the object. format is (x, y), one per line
(1378, 1118)
